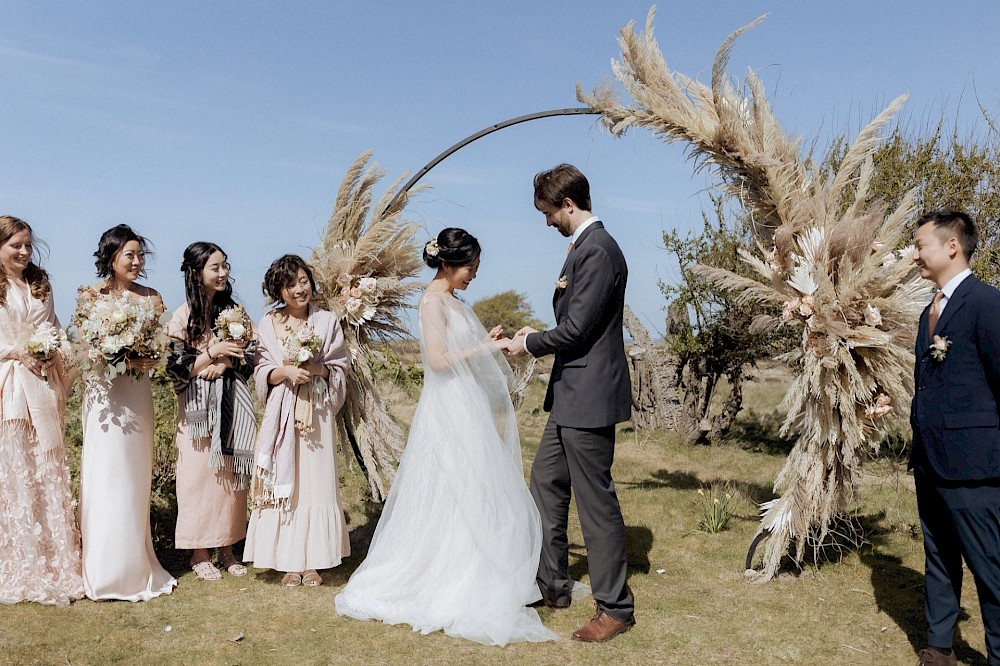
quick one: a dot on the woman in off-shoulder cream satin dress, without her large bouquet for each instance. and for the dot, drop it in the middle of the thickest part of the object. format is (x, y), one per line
(117, 466)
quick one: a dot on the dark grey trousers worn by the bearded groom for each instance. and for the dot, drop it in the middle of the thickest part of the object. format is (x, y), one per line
(579, 460)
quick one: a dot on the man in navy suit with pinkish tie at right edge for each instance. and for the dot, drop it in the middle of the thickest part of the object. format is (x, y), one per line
(956, 432)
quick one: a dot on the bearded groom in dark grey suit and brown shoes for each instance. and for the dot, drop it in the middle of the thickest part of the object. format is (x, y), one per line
(589, 392)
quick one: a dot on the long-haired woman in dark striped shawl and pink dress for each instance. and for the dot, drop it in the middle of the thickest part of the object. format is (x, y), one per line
(210, 361)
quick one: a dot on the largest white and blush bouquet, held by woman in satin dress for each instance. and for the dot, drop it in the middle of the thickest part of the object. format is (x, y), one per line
(116, 329)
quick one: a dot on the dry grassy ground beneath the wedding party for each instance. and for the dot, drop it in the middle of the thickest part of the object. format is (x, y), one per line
(693, 607)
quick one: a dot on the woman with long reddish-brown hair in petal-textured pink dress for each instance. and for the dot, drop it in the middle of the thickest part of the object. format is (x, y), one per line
(39, 543)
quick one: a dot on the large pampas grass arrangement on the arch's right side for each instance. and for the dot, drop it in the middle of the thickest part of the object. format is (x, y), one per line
(826, 262)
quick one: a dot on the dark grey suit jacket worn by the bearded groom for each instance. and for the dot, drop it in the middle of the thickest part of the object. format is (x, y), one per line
(589, 386)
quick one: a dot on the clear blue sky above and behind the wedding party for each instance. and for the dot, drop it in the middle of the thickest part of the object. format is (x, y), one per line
(234, 122)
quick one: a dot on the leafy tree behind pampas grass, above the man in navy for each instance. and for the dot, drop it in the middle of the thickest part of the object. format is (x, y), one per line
(948, 172)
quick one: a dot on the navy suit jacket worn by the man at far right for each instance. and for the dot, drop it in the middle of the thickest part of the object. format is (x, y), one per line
(955, 412)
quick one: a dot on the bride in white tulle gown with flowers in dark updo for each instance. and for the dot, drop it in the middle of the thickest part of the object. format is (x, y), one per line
(457, 546)
